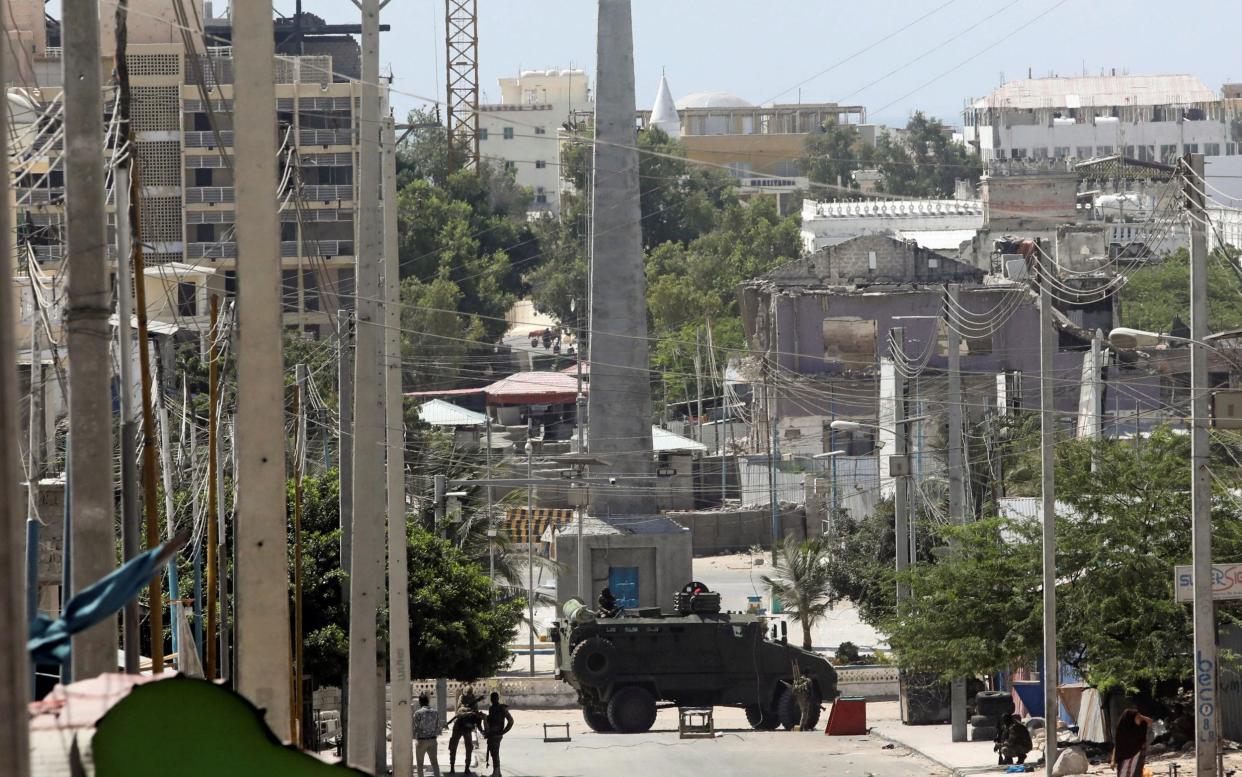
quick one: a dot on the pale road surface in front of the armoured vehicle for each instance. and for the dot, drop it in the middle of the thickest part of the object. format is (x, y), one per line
(736, 752)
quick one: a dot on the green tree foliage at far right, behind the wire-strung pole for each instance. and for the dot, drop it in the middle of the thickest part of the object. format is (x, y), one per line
(1159, 292)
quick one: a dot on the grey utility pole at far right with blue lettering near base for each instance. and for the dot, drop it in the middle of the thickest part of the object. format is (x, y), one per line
(1208, 724)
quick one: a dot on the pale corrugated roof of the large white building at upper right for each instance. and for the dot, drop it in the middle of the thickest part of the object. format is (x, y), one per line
(1086, 91)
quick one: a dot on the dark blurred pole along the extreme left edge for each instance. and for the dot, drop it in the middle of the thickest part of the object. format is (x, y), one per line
(14, 660)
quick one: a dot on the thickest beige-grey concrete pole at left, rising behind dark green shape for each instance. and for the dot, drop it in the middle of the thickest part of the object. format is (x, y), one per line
(261, 591)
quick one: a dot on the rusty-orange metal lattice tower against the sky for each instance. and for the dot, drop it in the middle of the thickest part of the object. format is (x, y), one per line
(461, 49)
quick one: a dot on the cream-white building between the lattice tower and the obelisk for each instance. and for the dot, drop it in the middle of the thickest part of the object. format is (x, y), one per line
(521, 132)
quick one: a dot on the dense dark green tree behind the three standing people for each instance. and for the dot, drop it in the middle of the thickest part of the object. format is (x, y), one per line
(459, 629)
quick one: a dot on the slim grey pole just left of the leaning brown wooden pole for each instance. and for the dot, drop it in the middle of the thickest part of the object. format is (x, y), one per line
(131, 522)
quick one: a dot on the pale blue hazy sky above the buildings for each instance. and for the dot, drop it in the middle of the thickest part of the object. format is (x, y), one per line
(766, 50)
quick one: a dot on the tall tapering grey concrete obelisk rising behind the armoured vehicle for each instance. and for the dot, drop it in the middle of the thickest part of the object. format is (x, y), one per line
(620, 398)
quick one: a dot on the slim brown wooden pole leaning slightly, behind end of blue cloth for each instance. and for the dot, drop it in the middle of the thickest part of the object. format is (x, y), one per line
(151, 510)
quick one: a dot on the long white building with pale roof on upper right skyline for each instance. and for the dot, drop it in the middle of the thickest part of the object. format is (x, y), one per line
(1151, 119)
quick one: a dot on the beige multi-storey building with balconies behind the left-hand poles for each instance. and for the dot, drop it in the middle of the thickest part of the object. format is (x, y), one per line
(182, 124)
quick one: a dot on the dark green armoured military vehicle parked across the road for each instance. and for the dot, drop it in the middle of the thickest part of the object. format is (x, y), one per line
(627, 667)
